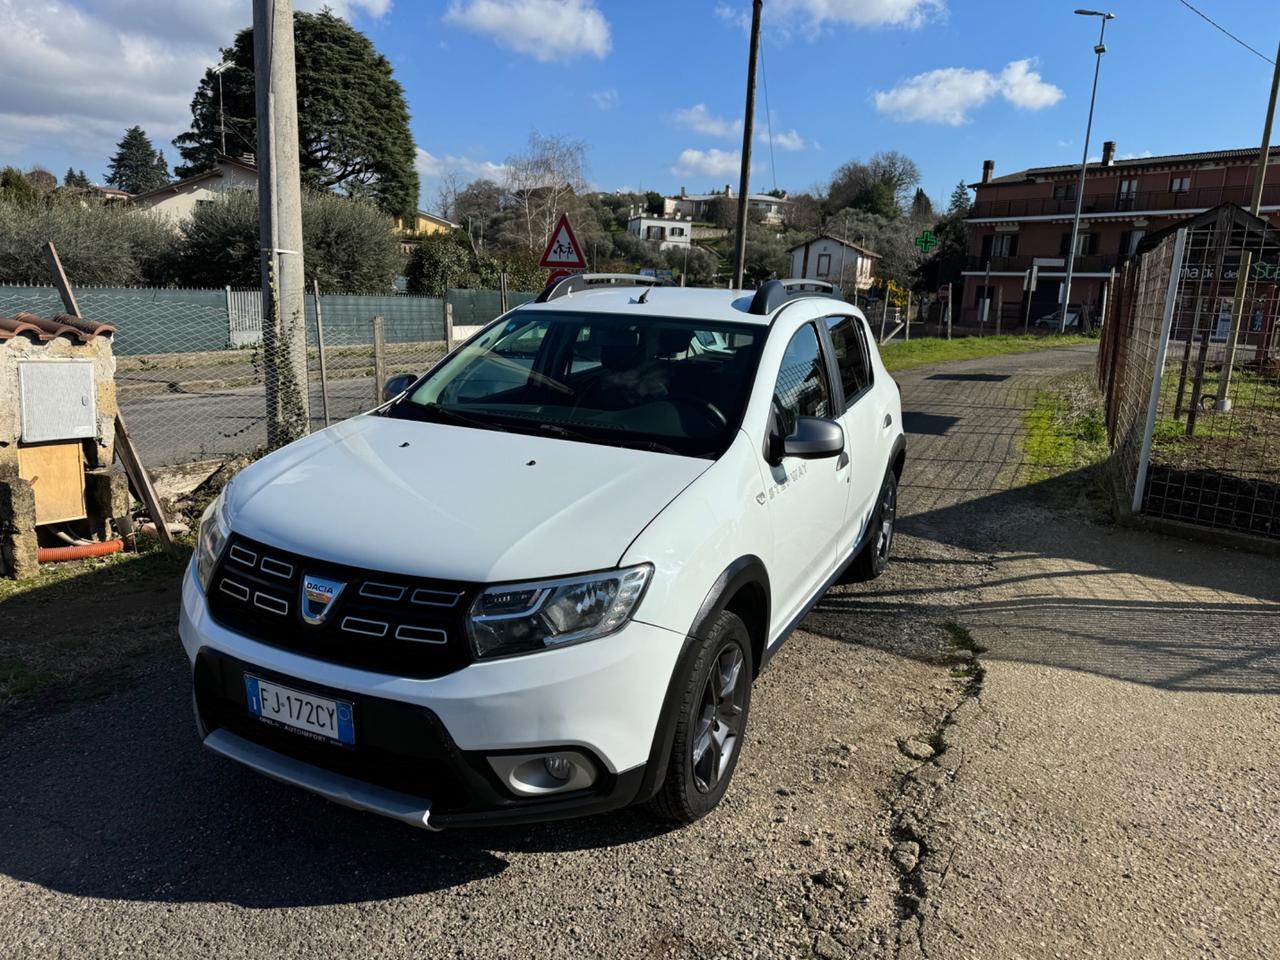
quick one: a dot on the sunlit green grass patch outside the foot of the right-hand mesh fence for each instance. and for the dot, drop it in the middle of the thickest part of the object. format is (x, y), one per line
(1066, 431)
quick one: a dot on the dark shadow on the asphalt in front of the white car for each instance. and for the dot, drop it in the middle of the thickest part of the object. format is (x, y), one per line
(120, 802)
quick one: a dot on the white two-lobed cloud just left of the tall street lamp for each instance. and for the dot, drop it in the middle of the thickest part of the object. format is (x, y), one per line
(948, 95)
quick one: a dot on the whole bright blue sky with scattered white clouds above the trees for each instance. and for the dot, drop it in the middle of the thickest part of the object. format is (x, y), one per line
(655, 88)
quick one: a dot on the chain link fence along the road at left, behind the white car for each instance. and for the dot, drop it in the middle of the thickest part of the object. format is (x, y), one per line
(190, 380)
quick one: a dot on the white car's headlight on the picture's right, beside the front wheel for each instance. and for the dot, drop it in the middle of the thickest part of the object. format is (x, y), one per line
(525, 618)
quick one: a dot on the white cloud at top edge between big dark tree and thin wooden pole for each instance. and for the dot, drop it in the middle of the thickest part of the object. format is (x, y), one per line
(546, 30)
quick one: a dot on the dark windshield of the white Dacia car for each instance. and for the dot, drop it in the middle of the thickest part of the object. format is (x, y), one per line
(664, 385)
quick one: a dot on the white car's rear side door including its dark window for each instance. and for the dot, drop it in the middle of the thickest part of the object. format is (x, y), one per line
(862, 418)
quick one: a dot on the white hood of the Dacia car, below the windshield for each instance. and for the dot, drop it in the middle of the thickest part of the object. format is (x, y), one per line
(452, 502)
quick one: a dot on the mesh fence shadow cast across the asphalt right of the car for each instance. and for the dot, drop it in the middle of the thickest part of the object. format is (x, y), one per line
(1027, 572)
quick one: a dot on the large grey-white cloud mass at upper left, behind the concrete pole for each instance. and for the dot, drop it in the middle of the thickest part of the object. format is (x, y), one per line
(76, 74)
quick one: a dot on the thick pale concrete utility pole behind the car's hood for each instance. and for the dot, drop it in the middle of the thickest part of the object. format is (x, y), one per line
(280, 204)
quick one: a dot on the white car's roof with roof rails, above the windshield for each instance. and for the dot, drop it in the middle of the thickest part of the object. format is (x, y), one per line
(680, 303)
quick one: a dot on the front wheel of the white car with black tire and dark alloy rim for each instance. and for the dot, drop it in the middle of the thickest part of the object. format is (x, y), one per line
(710, 725)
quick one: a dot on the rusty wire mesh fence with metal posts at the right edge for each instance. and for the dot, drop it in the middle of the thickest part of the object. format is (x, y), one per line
(1191, 371)
